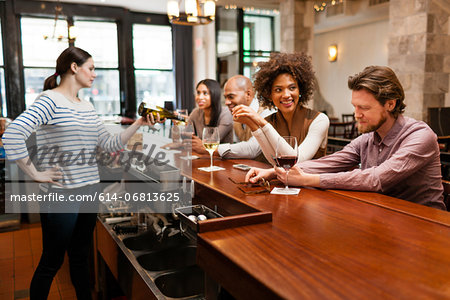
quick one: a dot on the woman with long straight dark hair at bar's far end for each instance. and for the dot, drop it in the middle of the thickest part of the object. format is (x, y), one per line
(210, 113)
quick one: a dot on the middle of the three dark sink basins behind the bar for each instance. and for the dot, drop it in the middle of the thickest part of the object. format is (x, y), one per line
(167, 259)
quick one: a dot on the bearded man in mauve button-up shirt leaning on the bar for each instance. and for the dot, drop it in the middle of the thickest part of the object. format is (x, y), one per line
(398, 156)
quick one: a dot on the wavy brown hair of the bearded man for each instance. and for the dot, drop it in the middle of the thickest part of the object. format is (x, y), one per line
(383, 84)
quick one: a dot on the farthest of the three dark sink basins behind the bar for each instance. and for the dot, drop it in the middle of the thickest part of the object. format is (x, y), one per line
(150, 241)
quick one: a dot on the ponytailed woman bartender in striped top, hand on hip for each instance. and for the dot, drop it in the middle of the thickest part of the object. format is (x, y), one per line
(70, 125)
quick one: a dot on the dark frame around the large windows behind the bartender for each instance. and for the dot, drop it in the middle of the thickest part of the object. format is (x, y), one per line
(15, 9)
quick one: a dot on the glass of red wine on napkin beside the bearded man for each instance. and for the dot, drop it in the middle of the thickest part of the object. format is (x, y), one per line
(286, 155)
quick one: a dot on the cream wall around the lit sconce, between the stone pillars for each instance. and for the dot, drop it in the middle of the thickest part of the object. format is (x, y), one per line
(358, 47)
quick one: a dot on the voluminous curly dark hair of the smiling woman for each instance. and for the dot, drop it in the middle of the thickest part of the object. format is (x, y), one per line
(296, 64)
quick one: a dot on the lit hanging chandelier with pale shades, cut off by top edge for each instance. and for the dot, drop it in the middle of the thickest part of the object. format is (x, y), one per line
(196, 12)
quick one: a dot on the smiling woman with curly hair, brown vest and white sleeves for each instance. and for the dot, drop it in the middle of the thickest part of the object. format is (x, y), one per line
(286, 82)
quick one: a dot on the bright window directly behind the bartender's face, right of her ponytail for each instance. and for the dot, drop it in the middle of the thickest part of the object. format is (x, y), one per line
(100, 40)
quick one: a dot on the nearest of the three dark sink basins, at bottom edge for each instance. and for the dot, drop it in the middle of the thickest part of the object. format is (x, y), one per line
(182, 283)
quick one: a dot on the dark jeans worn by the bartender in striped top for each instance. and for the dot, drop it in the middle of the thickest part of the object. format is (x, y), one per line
(61, 232)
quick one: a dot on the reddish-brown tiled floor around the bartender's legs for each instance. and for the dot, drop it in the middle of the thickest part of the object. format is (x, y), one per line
(20, 252)
